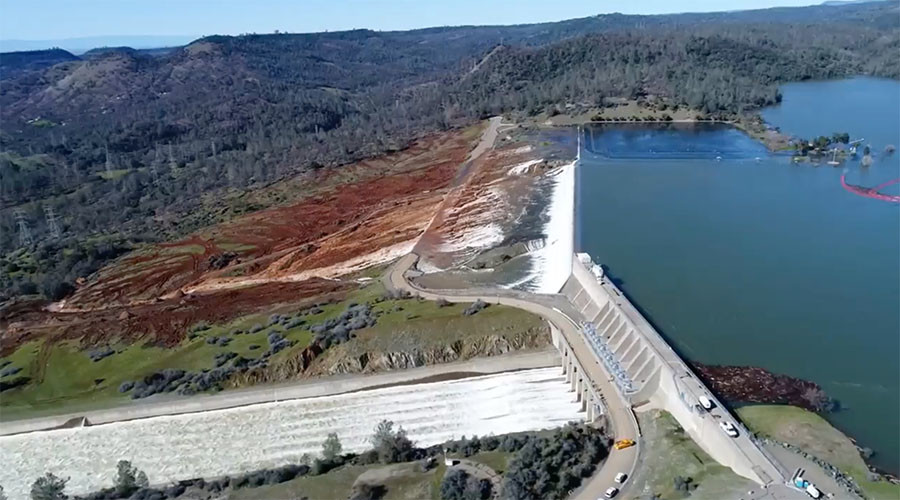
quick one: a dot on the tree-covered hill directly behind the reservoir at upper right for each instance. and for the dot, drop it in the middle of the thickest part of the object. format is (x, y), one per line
(718, 72)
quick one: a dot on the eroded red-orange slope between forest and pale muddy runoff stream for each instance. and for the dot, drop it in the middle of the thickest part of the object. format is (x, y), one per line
(357, 219)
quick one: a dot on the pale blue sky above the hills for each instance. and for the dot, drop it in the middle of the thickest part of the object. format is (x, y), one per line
(60, 19)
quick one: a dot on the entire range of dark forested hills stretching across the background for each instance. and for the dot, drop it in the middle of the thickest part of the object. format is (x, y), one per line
(121, 146)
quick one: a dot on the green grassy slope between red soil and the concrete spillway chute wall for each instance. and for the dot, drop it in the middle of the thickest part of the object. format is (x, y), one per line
(65, 379)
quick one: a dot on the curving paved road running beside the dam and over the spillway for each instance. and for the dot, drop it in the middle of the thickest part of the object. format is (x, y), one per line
(553, 310)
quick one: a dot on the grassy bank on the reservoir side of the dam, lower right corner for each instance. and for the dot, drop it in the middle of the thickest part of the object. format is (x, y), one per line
(813, 434)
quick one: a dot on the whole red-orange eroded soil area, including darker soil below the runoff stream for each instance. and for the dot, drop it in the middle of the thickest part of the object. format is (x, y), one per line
(354, 216)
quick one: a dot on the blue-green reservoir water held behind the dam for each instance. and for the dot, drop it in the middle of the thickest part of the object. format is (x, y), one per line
(740, 257)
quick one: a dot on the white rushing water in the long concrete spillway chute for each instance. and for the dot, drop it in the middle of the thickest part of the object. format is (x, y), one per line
(265, 435)
